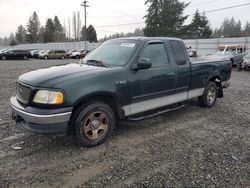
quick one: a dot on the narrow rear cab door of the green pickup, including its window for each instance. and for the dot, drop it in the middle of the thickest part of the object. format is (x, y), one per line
(181, 59)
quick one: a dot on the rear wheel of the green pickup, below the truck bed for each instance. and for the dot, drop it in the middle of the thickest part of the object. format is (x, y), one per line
(209, 96)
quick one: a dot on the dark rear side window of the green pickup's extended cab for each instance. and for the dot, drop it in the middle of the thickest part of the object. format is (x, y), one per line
(178, 52)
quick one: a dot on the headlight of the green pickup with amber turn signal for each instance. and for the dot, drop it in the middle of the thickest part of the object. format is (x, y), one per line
(48, 97)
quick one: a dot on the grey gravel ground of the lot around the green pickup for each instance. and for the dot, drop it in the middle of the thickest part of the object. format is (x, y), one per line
(191, 147)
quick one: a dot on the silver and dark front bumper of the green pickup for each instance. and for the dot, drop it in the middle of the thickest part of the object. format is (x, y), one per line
(41, 121)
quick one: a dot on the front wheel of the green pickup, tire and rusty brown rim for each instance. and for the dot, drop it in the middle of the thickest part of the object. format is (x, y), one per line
(94, 123)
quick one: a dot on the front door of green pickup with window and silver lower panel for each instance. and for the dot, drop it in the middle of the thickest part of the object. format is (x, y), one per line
(149, 87)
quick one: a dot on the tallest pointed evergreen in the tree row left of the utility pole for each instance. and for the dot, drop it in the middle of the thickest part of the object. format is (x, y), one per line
(33, 28)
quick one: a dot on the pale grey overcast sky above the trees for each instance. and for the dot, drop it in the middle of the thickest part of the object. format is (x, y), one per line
(108, 12)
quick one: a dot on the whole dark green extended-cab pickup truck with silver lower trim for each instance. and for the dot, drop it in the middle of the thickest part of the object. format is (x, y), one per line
(122, 79)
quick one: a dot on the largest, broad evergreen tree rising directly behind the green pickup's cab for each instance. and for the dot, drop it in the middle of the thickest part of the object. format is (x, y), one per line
(165, 18)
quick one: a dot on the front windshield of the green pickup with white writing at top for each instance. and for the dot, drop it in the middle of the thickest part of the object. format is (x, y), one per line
(114, 52)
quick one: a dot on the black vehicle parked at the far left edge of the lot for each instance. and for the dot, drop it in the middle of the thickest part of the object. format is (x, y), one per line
(15, 54)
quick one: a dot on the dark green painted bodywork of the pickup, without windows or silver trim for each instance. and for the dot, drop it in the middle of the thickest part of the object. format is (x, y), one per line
(126, 85)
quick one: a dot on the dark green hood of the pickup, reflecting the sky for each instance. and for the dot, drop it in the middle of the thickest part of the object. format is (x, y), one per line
(50, 77)
